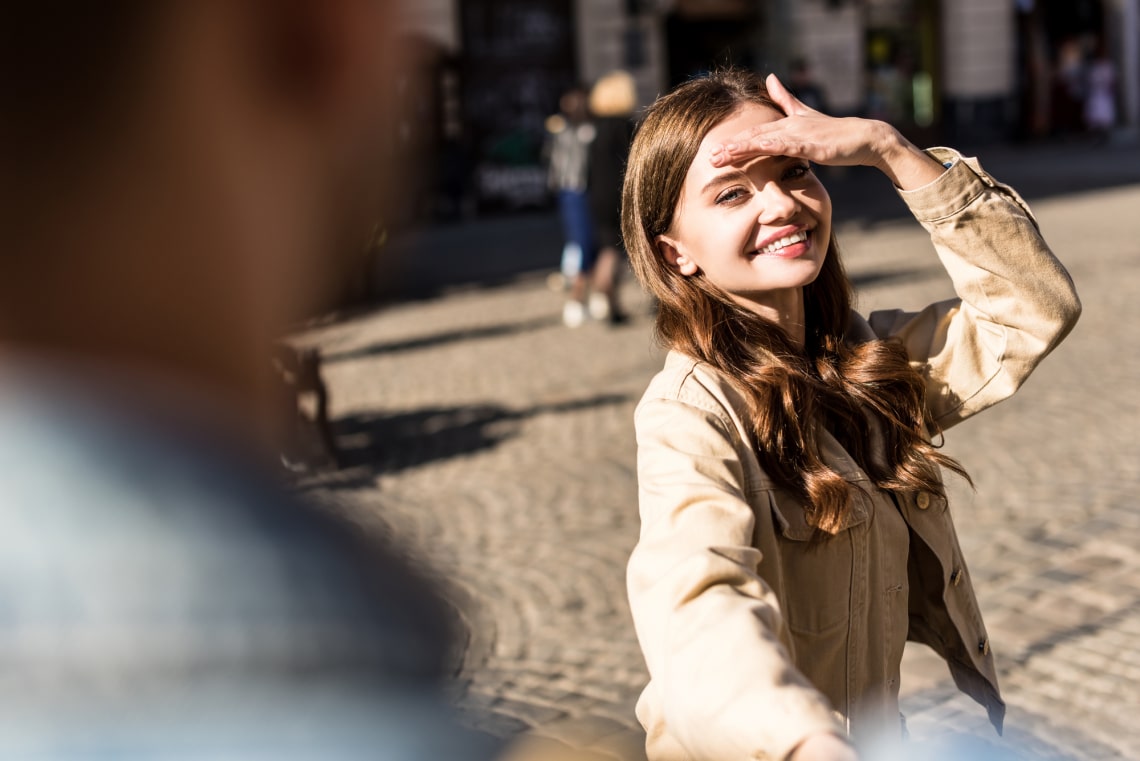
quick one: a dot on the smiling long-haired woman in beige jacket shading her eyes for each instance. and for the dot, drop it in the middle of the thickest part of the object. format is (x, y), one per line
(795, 528)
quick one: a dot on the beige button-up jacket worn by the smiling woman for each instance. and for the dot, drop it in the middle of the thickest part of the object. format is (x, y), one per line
(756, 640)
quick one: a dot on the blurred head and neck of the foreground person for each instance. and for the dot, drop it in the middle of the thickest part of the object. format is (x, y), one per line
(181, 176)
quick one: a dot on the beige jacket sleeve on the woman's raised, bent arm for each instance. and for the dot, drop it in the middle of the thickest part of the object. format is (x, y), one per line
(1016, 301)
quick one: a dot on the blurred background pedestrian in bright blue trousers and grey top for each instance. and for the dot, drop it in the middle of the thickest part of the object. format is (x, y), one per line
(571, 135)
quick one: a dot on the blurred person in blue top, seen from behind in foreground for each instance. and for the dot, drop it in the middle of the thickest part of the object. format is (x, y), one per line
(175, 177)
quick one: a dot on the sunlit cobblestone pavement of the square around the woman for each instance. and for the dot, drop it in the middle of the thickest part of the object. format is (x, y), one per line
(499, 445)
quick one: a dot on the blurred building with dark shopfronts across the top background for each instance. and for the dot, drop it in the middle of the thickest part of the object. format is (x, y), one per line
(486, 73)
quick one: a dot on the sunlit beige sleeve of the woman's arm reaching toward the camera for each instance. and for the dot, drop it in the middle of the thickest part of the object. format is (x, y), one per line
(706, 620)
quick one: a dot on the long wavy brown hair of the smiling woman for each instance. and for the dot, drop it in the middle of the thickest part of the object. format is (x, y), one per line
(794, 394)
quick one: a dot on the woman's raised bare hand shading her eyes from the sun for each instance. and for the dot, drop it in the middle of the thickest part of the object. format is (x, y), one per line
(808, 134)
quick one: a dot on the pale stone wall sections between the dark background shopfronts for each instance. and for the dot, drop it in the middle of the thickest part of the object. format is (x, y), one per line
(978, 42)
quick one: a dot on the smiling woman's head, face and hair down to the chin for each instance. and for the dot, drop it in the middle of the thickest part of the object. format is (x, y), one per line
(699, 234)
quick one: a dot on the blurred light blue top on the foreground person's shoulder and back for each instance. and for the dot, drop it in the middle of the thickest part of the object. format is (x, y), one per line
(161, 600)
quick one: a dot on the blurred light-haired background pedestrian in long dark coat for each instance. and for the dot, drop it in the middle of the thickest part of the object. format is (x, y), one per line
(613, 101)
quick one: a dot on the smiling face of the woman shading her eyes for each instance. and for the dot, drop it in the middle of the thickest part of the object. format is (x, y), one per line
(759, 231)
